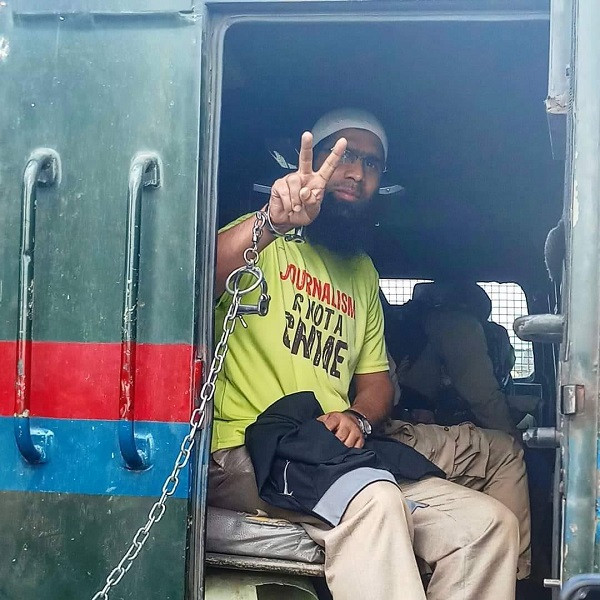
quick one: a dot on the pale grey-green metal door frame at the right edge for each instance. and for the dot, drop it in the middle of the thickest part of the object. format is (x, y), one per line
(580, 548)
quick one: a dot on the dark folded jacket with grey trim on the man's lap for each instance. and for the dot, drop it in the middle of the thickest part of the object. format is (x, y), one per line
(301, 466)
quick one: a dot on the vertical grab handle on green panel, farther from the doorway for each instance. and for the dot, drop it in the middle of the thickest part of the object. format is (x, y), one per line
(43, 168)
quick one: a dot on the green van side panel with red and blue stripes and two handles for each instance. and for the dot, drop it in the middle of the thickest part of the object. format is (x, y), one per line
(99, 130)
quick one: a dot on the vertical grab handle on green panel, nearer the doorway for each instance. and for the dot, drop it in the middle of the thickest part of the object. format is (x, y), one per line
(135, 448)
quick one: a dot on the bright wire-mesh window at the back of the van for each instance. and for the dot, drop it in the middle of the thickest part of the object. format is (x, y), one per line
(508, 303)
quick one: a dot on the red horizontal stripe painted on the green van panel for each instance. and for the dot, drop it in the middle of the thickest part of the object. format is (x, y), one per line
(73, 380)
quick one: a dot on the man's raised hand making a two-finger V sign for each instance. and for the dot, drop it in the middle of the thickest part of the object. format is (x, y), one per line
(296, 198)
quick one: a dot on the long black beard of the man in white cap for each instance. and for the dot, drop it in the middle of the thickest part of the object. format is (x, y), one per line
(344, 228)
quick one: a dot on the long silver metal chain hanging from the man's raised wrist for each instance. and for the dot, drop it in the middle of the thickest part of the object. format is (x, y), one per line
(199, 414)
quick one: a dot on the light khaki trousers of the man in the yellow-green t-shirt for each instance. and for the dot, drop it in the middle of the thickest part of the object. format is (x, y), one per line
(471, 540)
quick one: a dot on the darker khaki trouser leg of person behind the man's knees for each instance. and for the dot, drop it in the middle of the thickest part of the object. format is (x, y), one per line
(481, 459)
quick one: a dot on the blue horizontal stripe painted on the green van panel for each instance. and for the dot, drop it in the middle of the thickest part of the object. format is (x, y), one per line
(84, 458)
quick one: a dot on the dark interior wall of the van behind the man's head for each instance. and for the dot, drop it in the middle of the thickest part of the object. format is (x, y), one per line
(472, 187)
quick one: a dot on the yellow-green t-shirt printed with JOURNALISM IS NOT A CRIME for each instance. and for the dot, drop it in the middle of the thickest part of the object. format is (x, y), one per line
(325, 323)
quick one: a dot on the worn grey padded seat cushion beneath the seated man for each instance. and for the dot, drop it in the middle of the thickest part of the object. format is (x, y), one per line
(240, 534)
